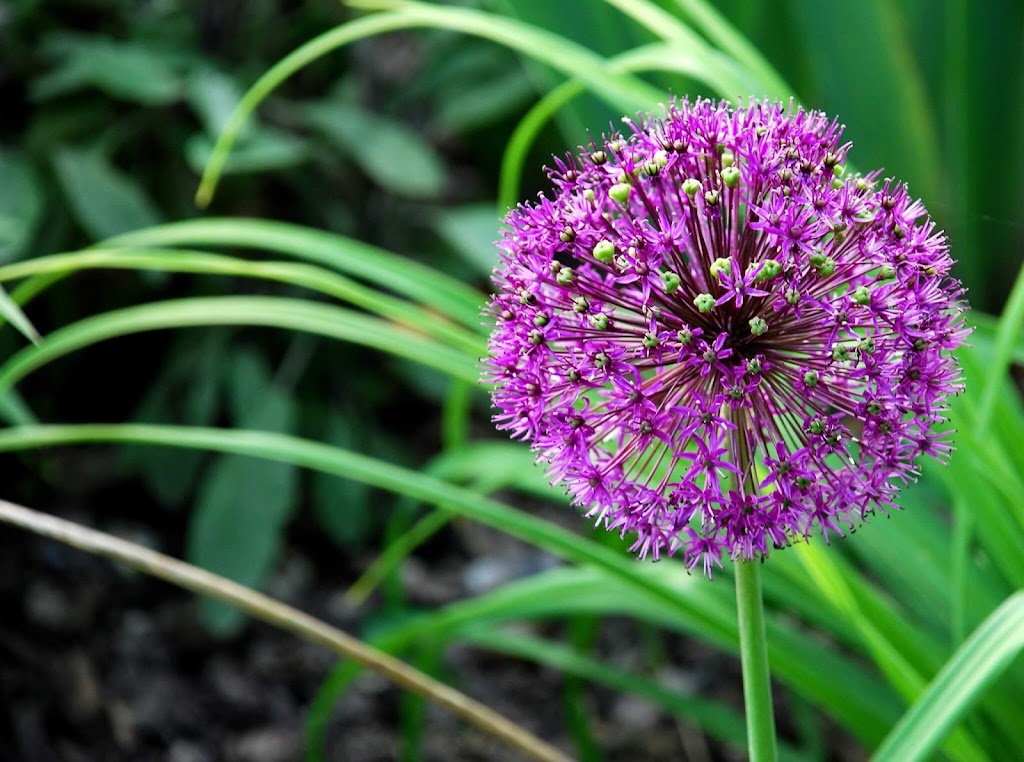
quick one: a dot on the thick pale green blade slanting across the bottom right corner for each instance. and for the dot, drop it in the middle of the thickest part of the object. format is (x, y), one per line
(983, 658)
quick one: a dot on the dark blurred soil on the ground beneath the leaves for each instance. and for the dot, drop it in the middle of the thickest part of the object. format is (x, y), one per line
(99, 663)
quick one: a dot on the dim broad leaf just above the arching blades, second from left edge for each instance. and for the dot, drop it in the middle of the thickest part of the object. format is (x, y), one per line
(104, 200)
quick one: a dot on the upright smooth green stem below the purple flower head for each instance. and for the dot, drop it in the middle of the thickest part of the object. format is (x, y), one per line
(754, 657)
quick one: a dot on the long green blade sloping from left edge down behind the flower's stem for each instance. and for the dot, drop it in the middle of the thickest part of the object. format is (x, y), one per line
(858, 702)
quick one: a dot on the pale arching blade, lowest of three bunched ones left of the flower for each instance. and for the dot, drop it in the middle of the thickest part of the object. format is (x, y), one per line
(295, 315)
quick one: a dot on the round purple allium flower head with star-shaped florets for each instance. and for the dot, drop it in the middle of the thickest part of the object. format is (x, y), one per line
(719, 341)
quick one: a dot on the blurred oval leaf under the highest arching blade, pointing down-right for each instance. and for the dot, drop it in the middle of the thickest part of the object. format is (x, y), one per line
(393, 155)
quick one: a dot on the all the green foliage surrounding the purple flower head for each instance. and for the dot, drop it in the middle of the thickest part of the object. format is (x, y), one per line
(906, 637)
